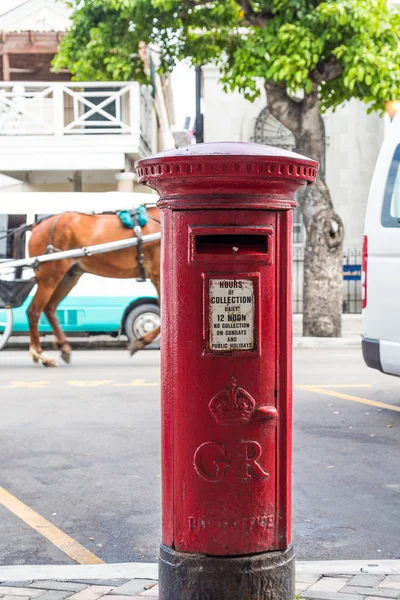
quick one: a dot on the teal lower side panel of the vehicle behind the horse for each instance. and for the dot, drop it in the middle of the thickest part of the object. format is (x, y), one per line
(82, 313)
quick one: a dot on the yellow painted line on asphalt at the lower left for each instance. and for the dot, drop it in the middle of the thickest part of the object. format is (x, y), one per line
(57, 537)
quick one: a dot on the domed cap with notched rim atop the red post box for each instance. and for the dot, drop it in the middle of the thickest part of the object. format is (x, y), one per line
(221, 166)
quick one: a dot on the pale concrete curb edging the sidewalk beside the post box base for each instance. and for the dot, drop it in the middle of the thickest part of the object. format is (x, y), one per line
(150, 570)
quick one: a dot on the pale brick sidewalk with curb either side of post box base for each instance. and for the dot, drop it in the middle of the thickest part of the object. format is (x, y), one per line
(323, 580)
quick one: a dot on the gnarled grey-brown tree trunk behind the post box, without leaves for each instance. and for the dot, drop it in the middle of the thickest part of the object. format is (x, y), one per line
(323, 266)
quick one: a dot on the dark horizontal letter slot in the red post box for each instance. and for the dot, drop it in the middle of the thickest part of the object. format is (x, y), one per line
(232, 244)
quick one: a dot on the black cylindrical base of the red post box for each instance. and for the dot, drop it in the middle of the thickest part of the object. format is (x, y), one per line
(265, 576)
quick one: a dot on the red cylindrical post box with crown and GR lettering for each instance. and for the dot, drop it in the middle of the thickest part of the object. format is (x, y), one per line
(226, 368)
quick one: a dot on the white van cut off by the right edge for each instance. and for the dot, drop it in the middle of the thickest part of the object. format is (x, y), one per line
(381, 260)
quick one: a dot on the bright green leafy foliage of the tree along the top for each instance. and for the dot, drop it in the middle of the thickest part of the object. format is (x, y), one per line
(349, 48)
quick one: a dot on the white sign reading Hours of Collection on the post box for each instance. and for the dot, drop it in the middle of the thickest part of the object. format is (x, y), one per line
(231, 314)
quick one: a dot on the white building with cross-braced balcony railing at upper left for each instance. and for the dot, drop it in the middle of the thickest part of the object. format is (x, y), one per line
(58, 135)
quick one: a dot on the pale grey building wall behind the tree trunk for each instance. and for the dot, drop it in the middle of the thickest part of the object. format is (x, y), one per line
(352, 143)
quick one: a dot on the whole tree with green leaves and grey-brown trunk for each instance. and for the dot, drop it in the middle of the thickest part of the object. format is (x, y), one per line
(310, 55)
